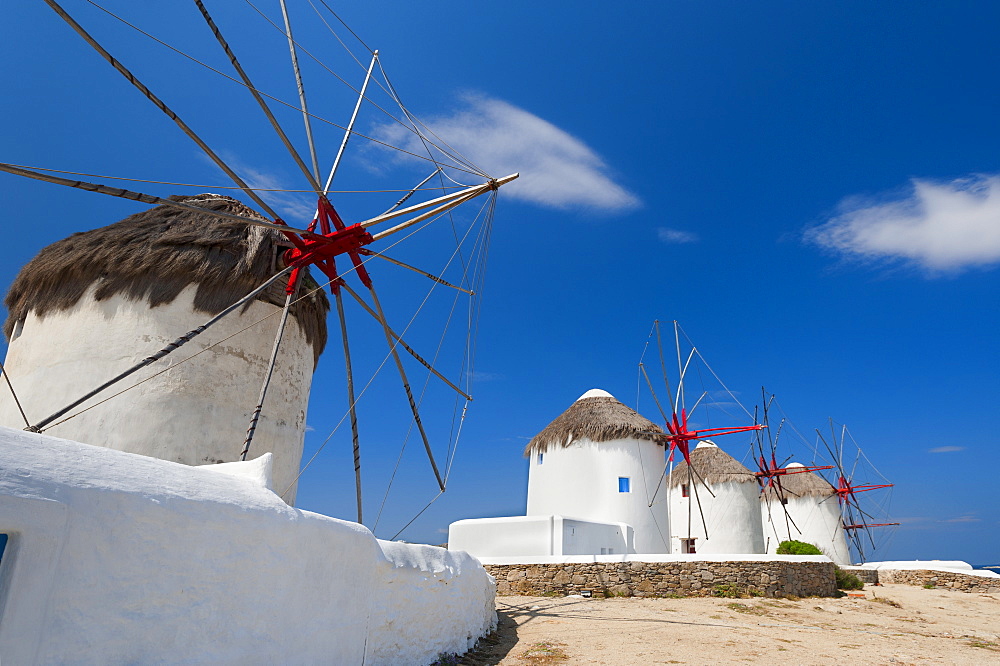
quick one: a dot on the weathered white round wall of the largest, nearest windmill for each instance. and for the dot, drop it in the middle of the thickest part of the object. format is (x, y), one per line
(197, 413)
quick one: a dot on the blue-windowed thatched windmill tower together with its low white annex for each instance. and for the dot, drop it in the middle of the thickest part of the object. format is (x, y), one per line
(592, 477)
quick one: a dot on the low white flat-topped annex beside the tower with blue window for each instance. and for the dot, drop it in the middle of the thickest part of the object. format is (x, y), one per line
(538, 535)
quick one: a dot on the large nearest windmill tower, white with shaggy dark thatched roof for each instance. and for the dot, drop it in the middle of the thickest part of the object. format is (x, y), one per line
(91, 305)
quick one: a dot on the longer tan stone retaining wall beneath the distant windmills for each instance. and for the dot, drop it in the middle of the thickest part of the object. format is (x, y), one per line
(656, 579)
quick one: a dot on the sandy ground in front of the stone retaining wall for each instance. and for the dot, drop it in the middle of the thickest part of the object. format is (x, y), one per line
(892, 624)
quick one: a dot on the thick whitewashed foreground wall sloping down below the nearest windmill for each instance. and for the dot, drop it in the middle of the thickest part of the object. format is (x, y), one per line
(119, 558)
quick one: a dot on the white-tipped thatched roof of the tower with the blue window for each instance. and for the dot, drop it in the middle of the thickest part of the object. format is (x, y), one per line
(596, 416)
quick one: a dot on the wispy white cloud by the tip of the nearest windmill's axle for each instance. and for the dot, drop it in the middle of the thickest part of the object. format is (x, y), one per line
(557, 169)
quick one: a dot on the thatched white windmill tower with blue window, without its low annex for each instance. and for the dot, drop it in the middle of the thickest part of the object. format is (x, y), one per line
(601, 461)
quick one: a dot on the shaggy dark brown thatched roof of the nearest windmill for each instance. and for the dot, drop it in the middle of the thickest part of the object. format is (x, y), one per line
(154, 255)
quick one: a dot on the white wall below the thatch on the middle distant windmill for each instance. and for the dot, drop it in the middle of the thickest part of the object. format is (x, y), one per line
(732, 517)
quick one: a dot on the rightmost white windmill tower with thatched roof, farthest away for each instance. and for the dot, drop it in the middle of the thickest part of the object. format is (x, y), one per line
(806, 509)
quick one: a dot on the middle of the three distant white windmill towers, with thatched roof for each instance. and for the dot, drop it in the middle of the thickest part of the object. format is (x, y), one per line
(723, 491)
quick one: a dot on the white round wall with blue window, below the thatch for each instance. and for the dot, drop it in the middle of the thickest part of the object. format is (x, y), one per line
(581, 481)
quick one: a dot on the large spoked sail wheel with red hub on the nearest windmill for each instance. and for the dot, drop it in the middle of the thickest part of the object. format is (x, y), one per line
(325, 238)
